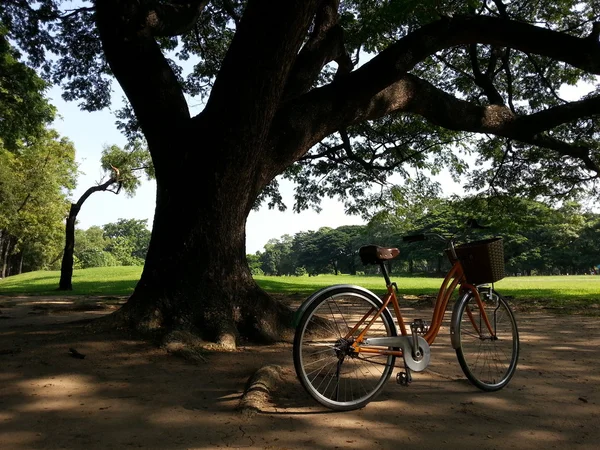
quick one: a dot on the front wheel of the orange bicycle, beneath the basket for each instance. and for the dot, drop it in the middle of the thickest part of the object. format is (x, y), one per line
(488, 357)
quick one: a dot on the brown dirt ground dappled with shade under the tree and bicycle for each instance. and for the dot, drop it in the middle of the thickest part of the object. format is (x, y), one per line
(126, 393)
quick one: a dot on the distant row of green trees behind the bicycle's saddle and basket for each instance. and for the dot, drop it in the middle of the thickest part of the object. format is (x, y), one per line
(538, 239)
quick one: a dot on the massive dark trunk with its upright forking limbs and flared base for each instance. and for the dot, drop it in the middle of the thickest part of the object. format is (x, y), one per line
(211, 168)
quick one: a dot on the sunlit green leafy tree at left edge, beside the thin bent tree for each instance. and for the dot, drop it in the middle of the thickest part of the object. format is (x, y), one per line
(35, 180)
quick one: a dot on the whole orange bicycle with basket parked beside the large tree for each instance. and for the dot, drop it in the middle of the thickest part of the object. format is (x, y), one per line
(346, 341)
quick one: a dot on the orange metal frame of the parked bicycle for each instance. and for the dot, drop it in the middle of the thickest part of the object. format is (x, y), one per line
(453, 278)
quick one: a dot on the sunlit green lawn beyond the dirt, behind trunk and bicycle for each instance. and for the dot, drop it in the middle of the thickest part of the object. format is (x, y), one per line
(554, 291)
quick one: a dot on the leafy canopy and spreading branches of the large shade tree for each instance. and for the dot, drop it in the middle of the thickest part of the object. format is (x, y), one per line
(490, 76)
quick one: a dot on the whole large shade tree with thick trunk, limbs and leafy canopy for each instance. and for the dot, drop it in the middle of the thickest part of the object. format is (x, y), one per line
(282, 91)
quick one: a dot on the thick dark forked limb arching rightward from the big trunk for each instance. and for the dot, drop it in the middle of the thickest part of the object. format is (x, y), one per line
(382, 85)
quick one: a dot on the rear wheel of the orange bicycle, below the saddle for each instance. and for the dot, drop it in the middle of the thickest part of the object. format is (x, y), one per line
(327, 368)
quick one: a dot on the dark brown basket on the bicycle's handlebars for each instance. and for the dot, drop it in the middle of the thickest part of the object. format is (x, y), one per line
(482, 261)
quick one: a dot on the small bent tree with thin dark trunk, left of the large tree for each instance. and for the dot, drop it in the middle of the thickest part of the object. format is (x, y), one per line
(122, 167)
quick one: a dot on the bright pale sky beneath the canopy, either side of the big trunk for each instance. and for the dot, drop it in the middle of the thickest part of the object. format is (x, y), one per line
(90, 132)
